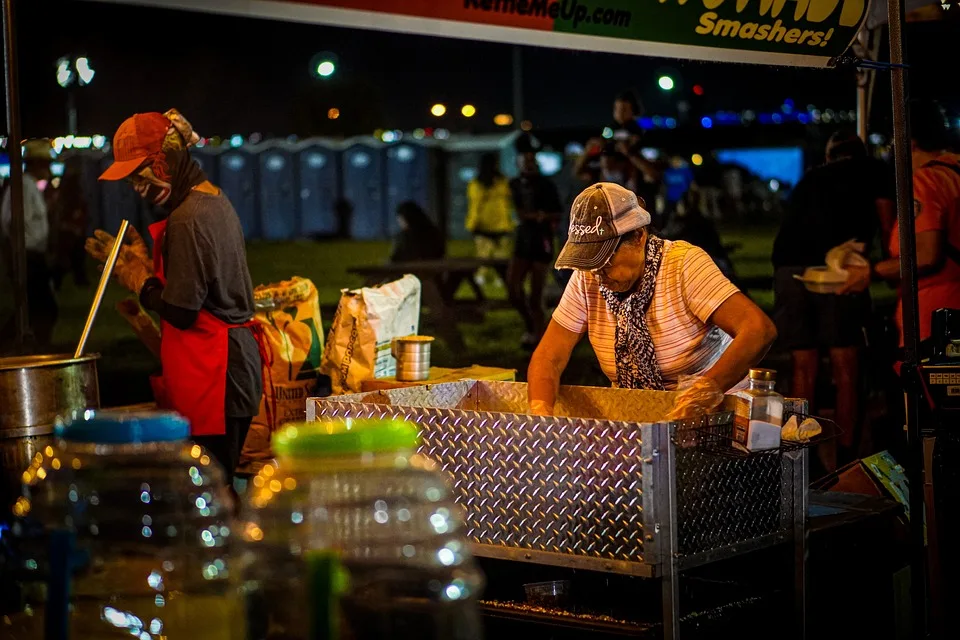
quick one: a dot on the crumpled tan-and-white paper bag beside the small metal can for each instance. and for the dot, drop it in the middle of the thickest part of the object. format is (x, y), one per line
(367, 320)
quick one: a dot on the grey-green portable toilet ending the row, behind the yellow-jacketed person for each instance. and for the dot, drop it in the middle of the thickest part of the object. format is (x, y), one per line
(463, 161)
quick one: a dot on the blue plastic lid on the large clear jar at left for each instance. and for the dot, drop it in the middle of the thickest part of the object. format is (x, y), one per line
(122, 427)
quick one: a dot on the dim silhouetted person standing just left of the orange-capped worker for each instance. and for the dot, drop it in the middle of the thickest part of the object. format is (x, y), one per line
(69, 211)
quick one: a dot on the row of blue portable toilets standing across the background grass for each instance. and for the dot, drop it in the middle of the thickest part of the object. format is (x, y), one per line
(285, 191)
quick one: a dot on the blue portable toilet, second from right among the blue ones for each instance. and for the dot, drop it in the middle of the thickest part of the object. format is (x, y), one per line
(364, 187)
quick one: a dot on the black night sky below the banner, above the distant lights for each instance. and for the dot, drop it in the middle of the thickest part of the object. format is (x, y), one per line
(237, 75)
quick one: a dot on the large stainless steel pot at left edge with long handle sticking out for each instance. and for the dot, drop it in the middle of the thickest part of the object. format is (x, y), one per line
(35, 390)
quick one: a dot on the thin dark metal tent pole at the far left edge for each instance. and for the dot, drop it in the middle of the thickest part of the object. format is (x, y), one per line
(17, 240)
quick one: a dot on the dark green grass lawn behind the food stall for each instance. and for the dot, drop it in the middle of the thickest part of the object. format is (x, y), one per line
(126, 363)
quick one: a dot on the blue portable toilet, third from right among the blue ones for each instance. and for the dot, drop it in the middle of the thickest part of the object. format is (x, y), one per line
(319, 164)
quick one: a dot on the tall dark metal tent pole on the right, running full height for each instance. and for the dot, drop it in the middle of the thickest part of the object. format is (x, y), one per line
(908, 293)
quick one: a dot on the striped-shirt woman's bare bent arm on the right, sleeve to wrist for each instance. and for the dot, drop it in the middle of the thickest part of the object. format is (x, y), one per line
(753, 333)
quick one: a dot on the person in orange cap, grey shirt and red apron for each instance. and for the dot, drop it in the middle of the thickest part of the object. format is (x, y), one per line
(197, 280)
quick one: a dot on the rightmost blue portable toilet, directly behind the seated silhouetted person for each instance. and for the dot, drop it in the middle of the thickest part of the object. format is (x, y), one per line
(411, 171)
